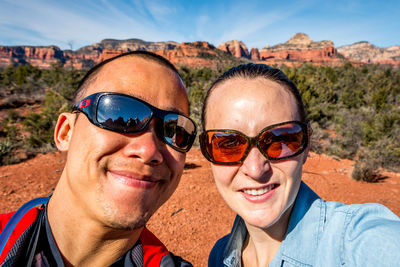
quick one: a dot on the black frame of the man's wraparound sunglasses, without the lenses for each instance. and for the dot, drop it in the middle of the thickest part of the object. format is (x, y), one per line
(89, 107)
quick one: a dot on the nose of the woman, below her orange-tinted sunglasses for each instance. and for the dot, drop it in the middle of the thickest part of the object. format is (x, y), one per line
(256, 165)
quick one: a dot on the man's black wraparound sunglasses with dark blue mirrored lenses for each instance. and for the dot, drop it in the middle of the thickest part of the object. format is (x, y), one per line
(127, 114)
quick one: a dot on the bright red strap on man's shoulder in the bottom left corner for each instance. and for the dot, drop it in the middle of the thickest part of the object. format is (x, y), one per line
(21, 226)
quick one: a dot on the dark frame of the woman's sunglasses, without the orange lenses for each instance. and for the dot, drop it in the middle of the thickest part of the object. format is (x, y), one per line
(254, 142)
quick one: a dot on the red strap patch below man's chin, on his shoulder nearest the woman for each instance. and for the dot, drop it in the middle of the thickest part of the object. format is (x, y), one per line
(153, 249)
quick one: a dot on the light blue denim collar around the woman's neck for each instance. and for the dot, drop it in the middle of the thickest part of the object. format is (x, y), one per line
(305, 225)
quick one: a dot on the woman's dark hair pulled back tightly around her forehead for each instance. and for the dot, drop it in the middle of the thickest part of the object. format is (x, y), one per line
(253, 71)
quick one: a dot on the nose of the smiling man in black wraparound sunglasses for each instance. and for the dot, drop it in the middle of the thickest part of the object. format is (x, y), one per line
(146, 146)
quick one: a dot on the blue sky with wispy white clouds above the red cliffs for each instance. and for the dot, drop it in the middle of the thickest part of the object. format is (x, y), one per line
(76, 23)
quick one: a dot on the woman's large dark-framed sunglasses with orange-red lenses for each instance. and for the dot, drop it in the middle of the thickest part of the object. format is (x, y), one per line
(276, 142)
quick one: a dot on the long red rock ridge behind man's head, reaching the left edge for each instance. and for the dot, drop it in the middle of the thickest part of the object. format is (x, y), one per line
(193, 54)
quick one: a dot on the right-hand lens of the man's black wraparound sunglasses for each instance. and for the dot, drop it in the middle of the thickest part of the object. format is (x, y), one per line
(179, 131)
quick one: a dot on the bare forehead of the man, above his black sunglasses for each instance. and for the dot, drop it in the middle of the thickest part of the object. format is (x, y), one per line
(146, 79)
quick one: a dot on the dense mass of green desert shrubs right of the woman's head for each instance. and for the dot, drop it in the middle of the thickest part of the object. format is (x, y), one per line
(360, 104)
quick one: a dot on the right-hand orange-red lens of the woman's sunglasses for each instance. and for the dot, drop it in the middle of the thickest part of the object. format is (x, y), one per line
(283, 141)
